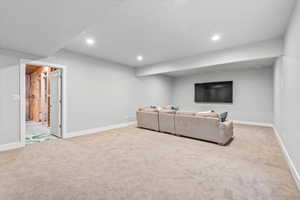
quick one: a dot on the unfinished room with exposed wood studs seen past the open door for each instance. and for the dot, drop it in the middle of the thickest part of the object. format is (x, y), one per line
(38, 101)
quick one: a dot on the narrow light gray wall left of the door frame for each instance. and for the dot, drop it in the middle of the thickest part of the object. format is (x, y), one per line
(9, 91)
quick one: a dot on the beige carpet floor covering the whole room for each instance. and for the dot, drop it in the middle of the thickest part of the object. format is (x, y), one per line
(136, 164)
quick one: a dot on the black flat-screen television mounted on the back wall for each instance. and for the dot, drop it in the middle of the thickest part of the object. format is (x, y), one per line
(214, 92)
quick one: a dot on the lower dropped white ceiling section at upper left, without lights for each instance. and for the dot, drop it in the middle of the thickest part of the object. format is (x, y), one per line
(42, 27)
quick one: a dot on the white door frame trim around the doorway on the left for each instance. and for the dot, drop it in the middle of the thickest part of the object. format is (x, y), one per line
(63, 68)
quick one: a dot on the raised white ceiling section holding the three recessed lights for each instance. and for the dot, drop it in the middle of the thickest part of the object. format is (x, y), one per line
(163, 30)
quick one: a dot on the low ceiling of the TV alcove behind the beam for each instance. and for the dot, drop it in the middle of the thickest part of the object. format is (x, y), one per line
(252, 64)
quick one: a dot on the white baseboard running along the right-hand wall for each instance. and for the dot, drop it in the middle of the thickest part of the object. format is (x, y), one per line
(290, 162)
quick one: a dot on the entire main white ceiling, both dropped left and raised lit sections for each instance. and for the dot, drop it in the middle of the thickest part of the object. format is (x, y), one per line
(160, 30)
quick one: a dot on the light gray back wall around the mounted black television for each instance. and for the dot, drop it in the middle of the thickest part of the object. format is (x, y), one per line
(252, 94)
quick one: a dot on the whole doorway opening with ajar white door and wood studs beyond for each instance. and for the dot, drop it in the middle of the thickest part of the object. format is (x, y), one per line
(43, 103)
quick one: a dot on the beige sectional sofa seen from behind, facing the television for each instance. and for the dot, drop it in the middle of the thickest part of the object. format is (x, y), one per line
(201, 125)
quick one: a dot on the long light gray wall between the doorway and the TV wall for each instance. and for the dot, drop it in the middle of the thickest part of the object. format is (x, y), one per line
(100, 93)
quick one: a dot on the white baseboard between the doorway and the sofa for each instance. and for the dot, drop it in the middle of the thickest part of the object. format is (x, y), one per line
(99, 129)
